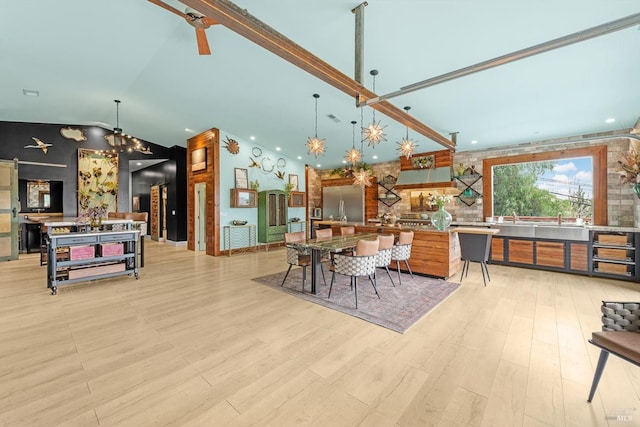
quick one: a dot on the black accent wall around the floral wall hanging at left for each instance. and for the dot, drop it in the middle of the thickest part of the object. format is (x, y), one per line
(14, 136)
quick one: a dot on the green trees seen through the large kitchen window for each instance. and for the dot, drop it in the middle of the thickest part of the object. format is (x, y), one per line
(516, 189)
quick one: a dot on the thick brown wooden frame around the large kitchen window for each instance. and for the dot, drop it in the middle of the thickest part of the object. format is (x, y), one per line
(598, 155)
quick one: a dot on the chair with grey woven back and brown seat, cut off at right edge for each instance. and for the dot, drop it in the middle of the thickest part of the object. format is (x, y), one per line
(620, 336)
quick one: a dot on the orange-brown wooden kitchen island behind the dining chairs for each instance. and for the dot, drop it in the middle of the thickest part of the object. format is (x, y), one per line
(434, 253)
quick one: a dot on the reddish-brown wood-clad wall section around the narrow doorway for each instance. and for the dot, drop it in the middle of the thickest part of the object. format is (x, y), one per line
(211, 176)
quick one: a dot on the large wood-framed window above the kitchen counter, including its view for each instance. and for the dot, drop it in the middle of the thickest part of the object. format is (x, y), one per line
(537, 186)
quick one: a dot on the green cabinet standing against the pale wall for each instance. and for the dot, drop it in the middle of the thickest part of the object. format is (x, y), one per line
(272, 216)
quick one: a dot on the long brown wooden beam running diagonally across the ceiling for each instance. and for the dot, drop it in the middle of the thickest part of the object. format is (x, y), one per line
(242, 22)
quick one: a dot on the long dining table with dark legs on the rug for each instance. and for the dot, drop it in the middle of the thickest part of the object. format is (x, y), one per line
(335, 244)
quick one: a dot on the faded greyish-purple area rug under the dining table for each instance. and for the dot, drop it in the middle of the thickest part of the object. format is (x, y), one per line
(397, 309)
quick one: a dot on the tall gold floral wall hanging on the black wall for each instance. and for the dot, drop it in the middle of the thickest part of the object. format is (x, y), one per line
(97, 181)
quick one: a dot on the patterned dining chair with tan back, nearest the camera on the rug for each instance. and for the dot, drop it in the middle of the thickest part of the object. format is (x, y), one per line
(363, 263)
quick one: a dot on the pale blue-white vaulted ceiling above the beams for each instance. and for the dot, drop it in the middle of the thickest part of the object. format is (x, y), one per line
(83, 54)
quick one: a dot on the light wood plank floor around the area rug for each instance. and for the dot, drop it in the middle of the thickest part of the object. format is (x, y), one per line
(194, 342)
